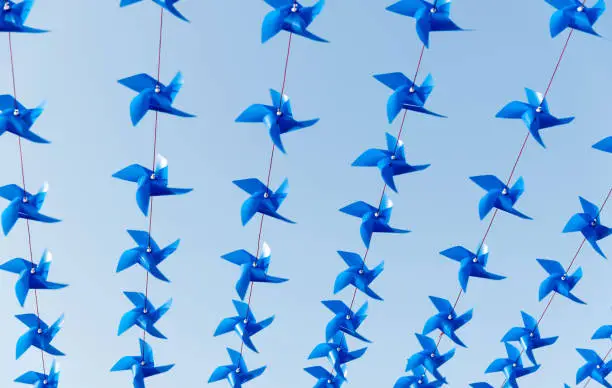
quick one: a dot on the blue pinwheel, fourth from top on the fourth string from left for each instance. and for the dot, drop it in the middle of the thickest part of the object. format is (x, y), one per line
(373, 219)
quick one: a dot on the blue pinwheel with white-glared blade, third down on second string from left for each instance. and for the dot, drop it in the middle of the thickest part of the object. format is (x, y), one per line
(150, 183)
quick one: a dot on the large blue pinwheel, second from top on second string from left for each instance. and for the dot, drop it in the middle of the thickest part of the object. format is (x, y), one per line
(153, 95)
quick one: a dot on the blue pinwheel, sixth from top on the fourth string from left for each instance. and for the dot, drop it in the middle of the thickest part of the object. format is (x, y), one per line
(345, 320)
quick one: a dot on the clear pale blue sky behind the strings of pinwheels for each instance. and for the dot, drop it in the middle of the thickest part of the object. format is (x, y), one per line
(226, 68)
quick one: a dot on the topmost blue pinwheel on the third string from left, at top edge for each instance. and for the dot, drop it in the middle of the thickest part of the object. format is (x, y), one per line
(291, 16)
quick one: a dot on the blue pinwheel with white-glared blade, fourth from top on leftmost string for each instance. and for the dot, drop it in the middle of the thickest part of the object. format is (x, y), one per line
(31, 276)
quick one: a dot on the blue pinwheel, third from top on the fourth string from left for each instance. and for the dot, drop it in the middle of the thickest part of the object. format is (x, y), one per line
(391, 162)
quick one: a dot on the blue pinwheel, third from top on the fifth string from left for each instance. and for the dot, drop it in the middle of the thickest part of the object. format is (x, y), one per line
(499, 195)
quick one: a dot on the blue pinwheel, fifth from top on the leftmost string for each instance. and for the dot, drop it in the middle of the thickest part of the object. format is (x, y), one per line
(39, 335)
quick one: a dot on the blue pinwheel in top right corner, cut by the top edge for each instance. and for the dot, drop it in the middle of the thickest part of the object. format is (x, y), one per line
(574, 14)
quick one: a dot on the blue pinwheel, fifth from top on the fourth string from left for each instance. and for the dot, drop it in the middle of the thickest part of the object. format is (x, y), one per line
(358, 274)
